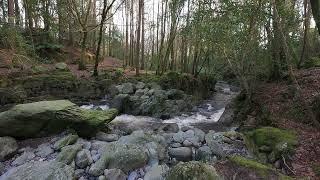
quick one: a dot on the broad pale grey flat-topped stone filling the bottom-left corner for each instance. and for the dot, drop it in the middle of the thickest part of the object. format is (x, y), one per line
(40, 170)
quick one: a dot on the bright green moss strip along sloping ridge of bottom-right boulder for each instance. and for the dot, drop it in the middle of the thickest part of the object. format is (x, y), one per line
(263, 170)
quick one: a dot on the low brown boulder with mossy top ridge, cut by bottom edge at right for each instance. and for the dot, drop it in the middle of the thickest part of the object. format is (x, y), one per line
(238, 168)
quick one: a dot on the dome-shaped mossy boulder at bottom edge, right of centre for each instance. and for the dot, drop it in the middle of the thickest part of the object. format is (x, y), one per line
(193, 170)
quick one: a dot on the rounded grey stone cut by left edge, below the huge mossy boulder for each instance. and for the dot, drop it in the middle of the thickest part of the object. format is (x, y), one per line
(8, 146)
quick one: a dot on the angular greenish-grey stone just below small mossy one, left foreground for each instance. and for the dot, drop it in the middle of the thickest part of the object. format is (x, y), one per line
(68, 153)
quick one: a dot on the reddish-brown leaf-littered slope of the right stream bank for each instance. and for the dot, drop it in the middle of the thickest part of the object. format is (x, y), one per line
(287, 113)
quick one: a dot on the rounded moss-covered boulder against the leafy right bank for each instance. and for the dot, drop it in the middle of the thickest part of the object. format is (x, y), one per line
(270, 144)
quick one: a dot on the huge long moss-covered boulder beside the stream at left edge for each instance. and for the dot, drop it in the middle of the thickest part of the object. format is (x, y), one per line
(46, 117)
